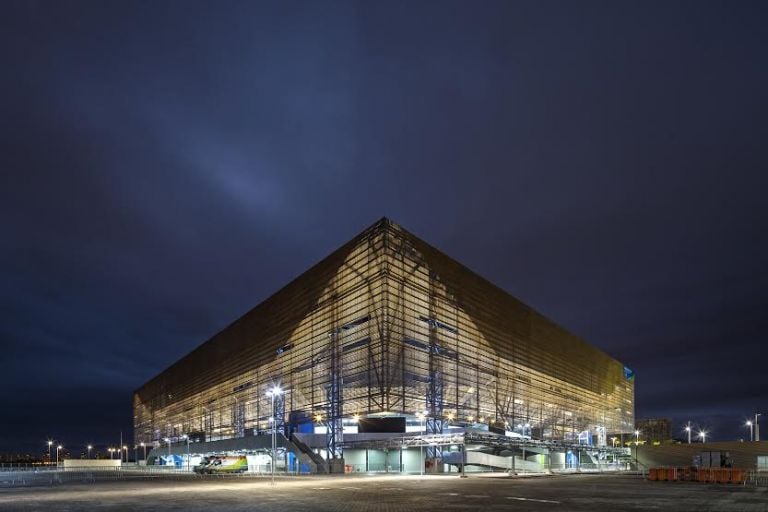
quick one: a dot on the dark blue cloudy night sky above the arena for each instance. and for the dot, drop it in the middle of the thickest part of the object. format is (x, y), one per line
(168, 165)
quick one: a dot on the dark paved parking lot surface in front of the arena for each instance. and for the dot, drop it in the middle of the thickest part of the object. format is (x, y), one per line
(389, 494)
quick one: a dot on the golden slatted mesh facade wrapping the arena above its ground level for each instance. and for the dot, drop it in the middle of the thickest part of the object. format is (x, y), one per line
(389, 324)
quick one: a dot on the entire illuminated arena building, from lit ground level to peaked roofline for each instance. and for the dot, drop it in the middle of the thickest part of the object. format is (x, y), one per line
(386, 345)
